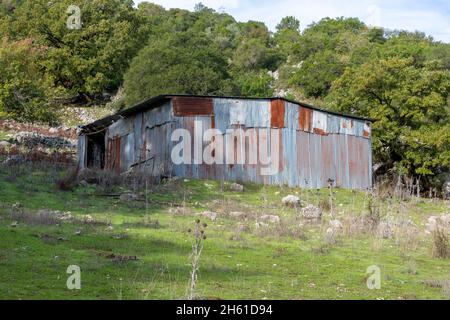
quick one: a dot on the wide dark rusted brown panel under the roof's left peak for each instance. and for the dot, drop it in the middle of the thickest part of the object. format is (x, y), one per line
(192, 106)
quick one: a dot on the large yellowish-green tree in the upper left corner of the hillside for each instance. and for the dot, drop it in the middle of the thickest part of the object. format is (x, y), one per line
(88, 61)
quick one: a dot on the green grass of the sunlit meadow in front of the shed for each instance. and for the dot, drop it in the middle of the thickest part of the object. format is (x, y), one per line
(33, 261)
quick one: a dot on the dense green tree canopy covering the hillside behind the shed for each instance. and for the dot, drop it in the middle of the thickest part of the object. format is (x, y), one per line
(400, 78)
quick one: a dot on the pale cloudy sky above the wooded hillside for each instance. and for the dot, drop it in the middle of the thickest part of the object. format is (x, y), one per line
(432, 17)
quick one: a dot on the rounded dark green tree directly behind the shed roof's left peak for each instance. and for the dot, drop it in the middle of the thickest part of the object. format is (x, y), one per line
(183, 62)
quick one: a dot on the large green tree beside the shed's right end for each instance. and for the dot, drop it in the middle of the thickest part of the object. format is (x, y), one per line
(411, 108)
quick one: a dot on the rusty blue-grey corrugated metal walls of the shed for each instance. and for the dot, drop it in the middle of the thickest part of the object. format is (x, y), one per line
(314, 147)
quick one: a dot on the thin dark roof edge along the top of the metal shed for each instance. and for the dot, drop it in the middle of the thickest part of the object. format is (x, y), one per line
(155, 102)
